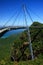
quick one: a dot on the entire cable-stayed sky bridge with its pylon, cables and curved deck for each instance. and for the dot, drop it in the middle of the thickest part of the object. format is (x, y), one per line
(5, 28)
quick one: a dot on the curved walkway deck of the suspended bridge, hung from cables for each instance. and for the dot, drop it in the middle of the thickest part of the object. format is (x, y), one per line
(3, 30)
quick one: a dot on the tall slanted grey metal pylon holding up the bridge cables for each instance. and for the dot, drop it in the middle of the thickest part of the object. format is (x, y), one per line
(28, 31)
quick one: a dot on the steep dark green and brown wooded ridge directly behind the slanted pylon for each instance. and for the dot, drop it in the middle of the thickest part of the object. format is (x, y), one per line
(36, 32)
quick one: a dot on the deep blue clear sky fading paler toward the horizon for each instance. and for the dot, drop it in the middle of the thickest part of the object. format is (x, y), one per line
(13, 7)
